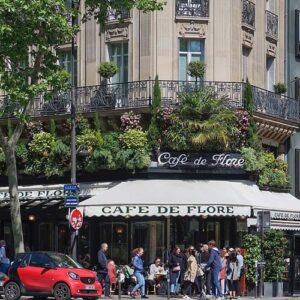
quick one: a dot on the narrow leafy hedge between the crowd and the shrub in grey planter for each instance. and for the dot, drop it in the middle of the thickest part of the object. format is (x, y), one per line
(252, 245)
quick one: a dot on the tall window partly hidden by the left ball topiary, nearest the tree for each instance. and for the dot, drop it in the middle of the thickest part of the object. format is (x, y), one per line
(118, 53)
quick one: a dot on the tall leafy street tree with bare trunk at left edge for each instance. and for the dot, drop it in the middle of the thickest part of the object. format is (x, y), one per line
(30, 34)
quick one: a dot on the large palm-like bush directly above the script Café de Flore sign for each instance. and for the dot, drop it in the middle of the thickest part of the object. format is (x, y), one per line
(202, 122)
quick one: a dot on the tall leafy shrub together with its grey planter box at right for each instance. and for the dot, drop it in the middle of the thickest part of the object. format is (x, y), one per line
(273, 245)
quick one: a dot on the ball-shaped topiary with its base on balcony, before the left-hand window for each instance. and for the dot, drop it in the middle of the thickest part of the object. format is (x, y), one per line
(105, 97)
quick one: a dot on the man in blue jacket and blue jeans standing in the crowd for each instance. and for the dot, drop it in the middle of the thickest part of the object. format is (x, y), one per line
(215, 264)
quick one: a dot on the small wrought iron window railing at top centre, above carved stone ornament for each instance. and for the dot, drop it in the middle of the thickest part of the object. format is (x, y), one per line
(192, 8)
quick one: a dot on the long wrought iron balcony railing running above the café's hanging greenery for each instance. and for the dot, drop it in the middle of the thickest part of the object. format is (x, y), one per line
(139, 94)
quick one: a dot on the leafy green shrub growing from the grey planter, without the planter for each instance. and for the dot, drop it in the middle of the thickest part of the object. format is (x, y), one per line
(273, 246)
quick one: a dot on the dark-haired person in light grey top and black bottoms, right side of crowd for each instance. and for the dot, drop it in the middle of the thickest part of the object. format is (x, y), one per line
(233, 274)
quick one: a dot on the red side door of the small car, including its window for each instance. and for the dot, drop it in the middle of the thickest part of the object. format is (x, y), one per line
(38, 275)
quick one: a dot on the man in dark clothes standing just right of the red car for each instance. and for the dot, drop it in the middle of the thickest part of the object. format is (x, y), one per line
(102, 273)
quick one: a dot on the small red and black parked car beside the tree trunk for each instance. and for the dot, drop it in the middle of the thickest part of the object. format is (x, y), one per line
(50, 274)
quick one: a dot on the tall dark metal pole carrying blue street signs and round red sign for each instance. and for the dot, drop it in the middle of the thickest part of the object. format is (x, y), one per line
(73, 130)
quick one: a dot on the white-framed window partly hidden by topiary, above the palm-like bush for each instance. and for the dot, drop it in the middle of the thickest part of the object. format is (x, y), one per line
(189, 50)
